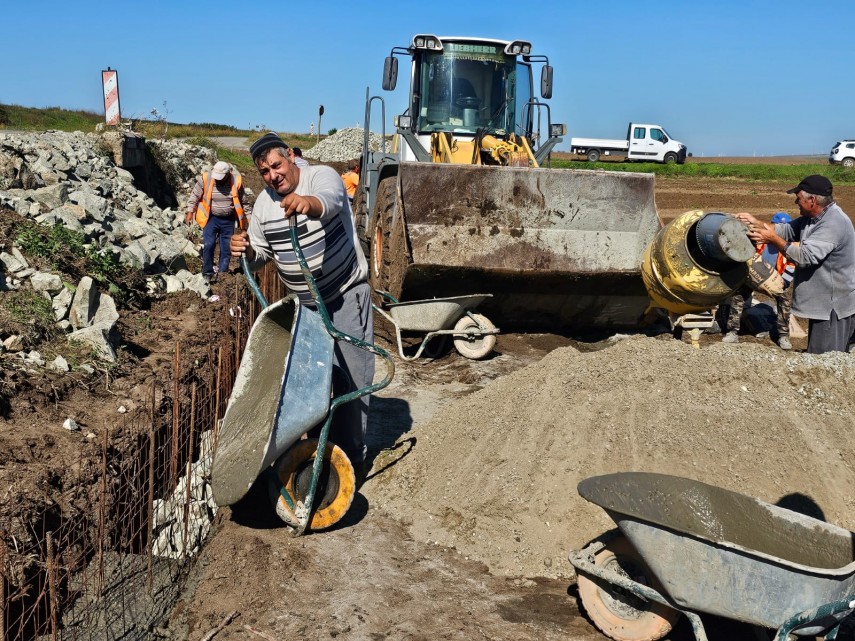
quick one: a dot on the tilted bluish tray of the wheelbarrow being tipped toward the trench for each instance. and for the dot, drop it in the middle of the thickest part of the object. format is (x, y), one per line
(281, 391)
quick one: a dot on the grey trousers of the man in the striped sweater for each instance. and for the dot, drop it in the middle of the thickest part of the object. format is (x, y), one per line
(351, 313)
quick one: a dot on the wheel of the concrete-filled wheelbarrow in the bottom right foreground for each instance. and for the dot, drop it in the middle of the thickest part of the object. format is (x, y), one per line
(617, 613)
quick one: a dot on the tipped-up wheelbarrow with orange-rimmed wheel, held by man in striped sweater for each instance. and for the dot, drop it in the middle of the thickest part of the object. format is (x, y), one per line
(282, 390)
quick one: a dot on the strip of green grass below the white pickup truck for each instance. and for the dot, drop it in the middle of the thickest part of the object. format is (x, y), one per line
(765, 172)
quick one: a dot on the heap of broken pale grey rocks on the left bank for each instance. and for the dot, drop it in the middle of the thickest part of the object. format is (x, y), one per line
(71, 179)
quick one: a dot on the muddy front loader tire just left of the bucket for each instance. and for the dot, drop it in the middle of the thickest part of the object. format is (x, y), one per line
(388, 256)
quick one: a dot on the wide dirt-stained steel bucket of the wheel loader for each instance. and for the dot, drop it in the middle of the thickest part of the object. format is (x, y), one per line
(556, 247)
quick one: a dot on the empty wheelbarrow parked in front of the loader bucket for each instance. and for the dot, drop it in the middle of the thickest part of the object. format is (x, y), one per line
(474, 334)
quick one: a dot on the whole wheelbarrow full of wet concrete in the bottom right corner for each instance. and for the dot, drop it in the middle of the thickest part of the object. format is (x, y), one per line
(688, 547)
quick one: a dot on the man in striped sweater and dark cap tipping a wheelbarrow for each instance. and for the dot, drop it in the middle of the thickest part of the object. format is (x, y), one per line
(316, 196)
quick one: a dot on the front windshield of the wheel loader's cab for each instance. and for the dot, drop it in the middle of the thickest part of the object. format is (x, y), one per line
(465, 87)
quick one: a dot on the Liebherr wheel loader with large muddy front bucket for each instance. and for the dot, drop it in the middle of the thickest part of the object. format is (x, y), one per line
(461, 201)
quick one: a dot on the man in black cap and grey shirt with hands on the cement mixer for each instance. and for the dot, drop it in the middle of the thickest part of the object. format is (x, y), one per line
(821, 243)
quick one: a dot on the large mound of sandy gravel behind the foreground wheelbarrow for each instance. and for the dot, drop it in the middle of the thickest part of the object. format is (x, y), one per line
(495, 474)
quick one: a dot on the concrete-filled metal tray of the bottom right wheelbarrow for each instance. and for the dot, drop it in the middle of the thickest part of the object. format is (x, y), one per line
(728, 554)
